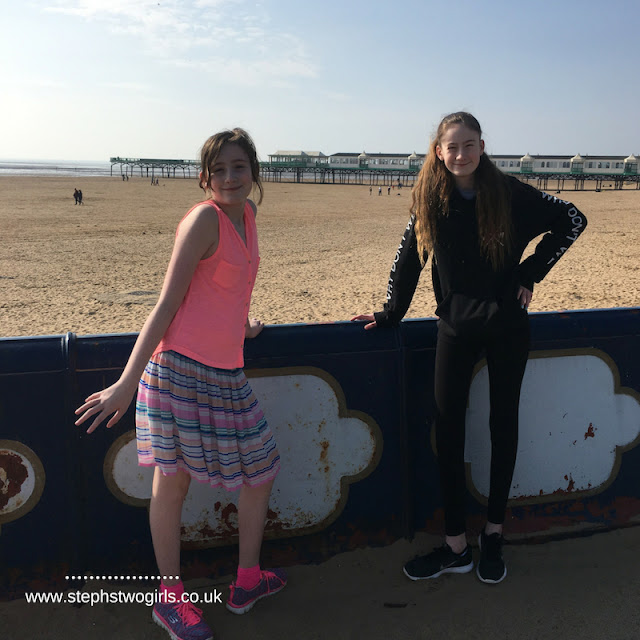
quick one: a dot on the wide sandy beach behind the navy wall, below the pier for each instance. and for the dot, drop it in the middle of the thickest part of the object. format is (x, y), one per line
(325, 251)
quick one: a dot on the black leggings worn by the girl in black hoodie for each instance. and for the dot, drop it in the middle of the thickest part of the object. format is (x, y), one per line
(506, 346)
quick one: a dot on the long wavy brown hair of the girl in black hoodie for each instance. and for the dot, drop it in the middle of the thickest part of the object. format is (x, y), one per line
(434, 187)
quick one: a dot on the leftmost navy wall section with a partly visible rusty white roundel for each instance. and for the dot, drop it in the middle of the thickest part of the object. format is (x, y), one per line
(36, 465)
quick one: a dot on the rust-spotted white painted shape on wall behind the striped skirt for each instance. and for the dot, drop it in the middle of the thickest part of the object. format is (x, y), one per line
(317, 447)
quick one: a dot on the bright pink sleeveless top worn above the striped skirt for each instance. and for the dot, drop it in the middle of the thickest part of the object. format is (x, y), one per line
(209, 326)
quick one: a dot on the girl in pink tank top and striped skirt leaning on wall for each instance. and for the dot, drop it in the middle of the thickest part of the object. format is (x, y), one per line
(196, 415)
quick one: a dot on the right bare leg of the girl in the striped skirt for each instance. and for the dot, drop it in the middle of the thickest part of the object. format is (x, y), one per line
(252, 514)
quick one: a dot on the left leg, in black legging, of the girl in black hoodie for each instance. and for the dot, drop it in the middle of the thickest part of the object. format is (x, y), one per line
(455, 359)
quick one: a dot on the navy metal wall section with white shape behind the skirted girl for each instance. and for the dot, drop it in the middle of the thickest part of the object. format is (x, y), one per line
(325, 393)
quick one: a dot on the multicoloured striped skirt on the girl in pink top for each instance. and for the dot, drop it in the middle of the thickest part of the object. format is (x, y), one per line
(205, 421)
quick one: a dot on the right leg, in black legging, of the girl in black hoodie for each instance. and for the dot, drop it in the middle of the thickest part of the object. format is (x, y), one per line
(506, 360)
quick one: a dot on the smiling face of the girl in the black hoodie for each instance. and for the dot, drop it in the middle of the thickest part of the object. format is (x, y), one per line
(460, 149)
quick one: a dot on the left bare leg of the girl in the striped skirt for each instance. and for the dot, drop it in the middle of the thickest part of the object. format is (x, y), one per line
(168, 494)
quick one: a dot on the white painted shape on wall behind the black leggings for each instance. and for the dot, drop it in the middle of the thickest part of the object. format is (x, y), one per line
(571, 421)
